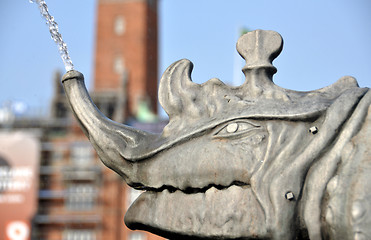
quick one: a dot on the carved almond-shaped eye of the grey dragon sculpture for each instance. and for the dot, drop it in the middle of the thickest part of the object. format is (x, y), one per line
(236, 128)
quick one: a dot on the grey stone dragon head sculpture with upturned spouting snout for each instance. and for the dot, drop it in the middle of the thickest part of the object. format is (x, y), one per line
(250, 162)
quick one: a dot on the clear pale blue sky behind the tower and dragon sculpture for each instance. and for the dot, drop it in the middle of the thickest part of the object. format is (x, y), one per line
(323, 40)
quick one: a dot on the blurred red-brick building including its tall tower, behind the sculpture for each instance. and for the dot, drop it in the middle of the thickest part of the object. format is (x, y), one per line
(78, 197)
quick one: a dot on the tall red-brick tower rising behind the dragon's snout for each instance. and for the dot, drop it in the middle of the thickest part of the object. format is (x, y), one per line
(126, 54)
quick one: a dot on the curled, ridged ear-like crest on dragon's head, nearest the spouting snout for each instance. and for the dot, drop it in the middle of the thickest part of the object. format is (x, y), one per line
(176, 90)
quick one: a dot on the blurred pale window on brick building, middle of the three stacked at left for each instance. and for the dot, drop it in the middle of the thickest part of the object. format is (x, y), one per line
(81, 197)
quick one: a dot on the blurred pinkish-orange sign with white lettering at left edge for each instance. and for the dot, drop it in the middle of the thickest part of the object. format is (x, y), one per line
(19, 161)
